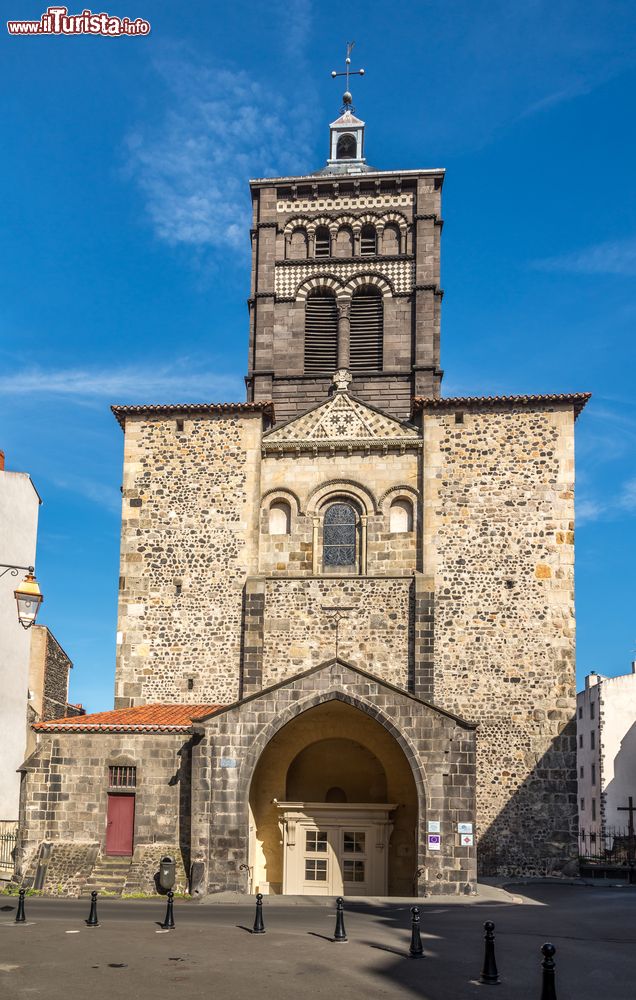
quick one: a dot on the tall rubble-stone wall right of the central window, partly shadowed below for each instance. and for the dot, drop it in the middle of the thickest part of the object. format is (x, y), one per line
(498, 542)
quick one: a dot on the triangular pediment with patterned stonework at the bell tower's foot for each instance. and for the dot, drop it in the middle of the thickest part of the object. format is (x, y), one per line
(342, 419)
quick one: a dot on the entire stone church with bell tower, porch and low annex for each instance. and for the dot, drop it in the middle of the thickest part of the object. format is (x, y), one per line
(345, 648)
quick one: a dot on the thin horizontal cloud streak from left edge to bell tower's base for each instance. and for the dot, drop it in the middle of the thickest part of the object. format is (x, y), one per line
(182, 380)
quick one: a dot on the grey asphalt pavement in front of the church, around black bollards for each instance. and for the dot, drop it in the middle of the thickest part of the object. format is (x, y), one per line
(211, 953)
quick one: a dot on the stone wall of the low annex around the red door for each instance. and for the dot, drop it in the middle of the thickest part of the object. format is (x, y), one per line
(65, 790)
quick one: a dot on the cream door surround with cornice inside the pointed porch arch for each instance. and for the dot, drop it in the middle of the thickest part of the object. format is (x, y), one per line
(298, 818)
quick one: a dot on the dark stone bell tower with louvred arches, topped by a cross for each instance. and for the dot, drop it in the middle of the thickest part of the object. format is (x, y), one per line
(345, 275)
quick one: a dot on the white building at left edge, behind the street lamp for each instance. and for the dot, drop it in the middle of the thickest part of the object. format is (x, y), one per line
(19, 503)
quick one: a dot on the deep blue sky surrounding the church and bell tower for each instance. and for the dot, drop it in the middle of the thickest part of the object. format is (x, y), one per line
(125, 256)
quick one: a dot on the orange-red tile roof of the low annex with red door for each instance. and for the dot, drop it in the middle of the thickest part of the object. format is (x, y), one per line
(138, 719)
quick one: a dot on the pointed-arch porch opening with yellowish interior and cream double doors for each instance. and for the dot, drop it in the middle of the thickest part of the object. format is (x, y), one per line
(333, 808)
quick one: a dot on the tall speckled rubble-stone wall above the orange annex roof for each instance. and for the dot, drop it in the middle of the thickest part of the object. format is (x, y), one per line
(189, 530)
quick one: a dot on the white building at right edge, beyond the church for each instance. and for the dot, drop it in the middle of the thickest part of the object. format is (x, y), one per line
(606, 751)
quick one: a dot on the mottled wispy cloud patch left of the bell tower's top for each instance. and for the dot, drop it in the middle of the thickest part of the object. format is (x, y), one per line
(218, 127)
